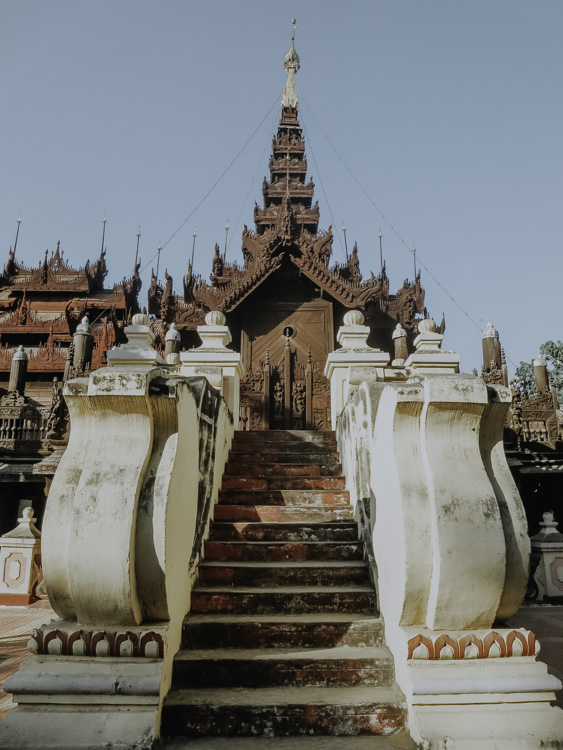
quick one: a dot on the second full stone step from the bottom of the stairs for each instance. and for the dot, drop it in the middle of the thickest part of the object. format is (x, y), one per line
(277, 667)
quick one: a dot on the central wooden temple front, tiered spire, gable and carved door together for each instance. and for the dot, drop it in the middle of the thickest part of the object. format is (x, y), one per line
(285, 304)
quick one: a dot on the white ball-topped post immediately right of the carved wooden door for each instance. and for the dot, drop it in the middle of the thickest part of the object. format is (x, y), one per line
(355, 354)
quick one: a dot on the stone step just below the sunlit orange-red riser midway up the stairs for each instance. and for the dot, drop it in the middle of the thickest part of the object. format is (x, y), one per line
(283, 532)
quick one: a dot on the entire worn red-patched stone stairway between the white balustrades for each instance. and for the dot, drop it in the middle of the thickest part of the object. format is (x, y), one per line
(284, 640)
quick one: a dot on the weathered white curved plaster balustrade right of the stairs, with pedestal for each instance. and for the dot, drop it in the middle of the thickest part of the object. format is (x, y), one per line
(451, 555)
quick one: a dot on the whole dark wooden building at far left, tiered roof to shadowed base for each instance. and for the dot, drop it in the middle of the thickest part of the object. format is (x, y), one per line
(40, 309)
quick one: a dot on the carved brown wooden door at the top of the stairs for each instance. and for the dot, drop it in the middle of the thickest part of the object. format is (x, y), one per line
(284, 348)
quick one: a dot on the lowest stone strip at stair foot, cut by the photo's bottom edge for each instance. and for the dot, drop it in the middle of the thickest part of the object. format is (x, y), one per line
(399, 741)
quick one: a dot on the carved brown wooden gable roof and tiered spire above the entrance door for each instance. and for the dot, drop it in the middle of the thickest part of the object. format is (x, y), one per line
(286, 226)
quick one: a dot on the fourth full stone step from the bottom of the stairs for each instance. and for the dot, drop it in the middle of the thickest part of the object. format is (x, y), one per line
(284, 600)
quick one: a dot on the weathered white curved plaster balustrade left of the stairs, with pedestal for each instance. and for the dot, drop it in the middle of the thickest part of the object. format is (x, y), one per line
(127, 516)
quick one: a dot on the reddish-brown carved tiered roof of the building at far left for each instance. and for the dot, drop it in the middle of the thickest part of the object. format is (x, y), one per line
(40, 308)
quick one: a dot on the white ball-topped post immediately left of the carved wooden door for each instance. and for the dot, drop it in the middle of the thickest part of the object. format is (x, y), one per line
(222, 367)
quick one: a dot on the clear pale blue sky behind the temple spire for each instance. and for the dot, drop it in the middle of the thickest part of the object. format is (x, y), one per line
(436, 123)
